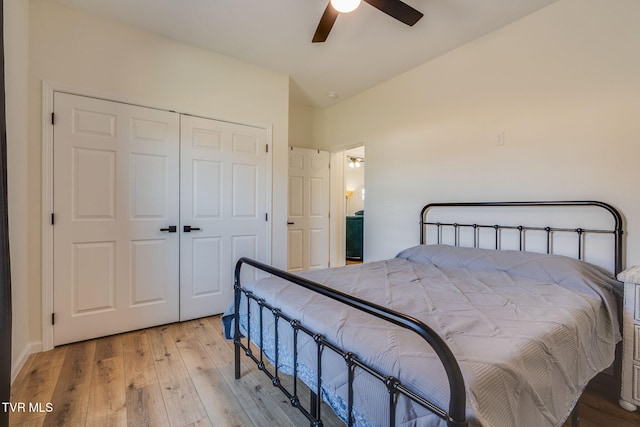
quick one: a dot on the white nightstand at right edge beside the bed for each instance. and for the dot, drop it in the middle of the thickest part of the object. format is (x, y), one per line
(630, 395)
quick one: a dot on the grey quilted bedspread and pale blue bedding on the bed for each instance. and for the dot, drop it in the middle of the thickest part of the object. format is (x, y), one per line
(528, 330)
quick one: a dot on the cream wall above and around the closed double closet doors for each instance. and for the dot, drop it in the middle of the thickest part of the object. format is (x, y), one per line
(82, 50)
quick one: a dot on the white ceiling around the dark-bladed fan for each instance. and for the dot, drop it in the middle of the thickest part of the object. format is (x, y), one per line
(365, 47)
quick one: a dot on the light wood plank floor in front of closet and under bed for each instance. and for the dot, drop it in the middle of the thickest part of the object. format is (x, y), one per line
(180, 375)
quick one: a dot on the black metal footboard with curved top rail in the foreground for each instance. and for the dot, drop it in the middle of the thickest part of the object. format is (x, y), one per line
(454, 416)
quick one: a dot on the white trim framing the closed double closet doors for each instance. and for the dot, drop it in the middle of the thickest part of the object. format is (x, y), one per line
(48, 89)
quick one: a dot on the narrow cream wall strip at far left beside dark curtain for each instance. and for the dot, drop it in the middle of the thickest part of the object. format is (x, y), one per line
(16, 62)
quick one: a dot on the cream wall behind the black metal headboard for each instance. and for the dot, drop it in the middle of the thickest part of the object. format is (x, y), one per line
(562, 85)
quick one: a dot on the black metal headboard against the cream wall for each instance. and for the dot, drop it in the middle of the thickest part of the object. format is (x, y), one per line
(580, 232)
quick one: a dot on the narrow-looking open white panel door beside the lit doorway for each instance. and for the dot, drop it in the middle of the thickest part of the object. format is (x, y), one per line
(308, 217)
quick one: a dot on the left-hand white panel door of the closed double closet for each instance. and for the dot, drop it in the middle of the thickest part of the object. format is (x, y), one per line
(116, 187)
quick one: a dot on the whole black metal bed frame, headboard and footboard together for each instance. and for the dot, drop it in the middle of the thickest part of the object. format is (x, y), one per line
(455, 415)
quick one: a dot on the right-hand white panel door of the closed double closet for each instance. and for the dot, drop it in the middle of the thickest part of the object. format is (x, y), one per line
(223, 210)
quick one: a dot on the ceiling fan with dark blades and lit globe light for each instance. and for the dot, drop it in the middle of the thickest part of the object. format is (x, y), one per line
(394, 8)
